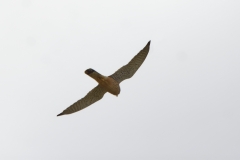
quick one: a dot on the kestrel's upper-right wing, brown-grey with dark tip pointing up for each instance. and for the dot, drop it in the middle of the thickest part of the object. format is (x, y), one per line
(129, 69)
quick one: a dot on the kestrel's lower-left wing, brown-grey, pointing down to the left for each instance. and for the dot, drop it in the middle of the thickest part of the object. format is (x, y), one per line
(93, 96)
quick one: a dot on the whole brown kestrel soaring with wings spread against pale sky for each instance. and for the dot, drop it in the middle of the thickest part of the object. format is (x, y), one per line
(108, 83)
